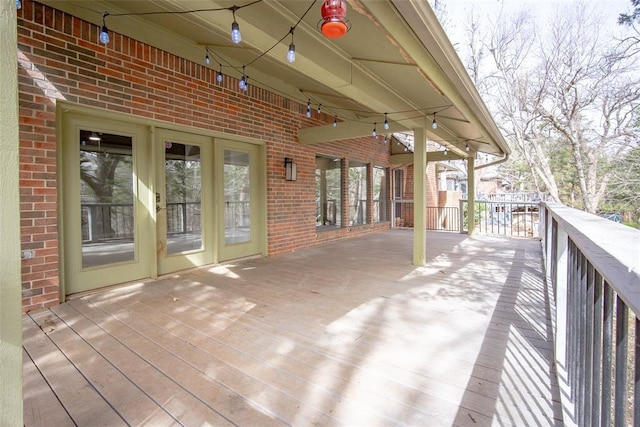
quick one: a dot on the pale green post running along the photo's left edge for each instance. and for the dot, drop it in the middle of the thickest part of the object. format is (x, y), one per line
(10, 288)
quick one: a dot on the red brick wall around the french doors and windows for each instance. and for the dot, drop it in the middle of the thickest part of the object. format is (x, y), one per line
(60, 58)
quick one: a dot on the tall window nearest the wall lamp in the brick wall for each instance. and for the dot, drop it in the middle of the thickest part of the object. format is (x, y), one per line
(328, 192)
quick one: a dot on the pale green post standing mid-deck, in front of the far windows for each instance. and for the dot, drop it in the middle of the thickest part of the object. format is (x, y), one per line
(419, 196)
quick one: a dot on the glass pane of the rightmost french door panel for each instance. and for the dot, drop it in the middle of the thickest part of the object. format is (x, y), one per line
(237, 197)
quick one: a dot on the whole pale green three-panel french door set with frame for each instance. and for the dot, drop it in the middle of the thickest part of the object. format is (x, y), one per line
(136, 203)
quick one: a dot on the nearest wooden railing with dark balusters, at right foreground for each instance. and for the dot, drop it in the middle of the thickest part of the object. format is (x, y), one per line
(594, 268)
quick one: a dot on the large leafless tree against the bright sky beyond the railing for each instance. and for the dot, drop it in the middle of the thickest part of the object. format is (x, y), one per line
(566, 88)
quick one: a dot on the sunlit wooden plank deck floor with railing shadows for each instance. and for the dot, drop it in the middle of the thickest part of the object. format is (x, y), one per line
(348, 333)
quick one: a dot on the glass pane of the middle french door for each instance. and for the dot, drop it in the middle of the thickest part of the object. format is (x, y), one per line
(183, 189)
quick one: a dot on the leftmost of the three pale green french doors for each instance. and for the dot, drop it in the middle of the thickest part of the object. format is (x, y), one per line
(107, 204)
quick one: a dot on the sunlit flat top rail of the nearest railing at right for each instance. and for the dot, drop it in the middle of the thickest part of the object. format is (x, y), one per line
(612, 248)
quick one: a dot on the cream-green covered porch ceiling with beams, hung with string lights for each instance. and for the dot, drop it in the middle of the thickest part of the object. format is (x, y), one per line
(396, 59)
